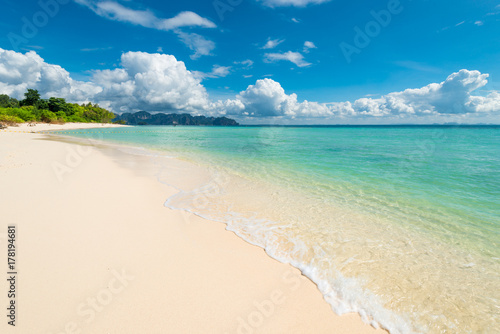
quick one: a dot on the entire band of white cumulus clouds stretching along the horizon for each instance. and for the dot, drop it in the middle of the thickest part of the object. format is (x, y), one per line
(159, 82)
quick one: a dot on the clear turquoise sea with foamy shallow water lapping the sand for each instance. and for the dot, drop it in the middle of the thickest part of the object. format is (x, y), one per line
(398, 223)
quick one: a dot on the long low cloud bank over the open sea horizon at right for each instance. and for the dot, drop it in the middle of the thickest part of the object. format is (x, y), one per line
(451, 97)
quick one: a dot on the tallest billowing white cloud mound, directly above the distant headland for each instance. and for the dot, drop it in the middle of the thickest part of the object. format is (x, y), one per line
(150, 82)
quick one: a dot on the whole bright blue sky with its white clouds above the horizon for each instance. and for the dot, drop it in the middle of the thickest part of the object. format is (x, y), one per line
(261, 61)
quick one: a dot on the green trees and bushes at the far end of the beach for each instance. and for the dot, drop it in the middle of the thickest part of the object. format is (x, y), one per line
(54, 110)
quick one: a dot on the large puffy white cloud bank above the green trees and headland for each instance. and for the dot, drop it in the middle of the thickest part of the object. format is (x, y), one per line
(151, 82)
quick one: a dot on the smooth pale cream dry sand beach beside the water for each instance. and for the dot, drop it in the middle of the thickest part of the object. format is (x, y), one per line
(97, 252)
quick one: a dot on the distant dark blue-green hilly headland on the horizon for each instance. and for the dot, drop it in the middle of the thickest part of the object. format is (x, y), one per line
(145, 118)
